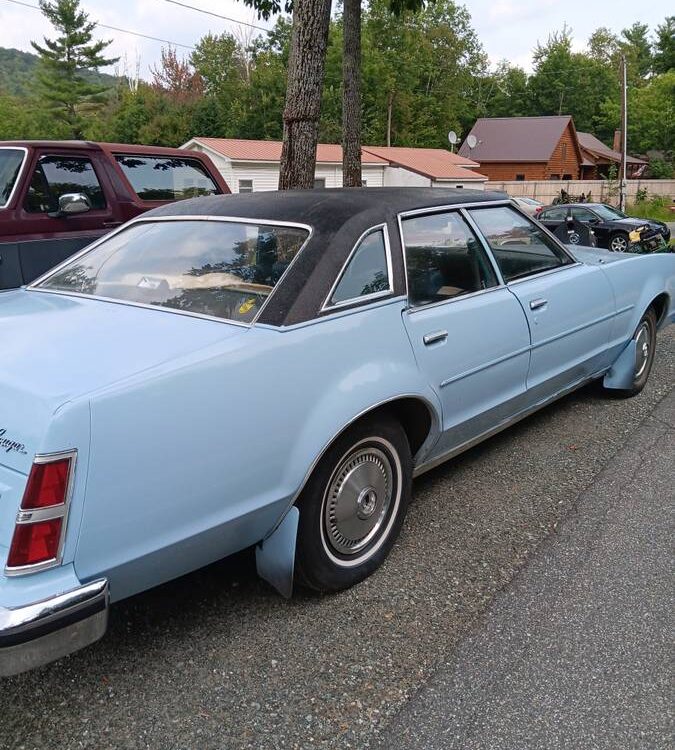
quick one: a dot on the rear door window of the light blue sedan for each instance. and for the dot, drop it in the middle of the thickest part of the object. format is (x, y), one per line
(444, 259)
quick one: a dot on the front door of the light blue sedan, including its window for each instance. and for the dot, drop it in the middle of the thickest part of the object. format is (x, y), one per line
(569, 306)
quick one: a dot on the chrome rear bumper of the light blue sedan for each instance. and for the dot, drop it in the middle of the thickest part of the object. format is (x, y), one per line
(43, 631)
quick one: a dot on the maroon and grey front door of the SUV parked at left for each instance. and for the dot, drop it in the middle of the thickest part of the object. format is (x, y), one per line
(50, 239)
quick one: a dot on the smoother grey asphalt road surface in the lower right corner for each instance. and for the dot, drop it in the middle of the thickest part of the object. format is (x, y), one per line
(576, 651)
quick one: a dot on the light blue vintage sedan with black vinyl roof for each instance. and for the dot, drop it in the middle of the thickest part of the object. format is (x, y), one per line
(273, 370)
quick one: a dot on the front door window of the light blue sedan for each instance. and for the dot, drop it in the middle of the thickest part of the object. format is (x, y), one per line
(520, 247)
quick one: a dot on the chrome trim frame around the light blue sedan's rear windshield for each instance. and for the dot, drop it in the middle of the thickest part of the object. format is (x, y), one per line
(33, 286)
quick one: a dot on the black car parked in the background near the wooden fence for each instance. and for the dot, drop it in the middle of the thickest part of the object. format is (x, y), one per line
(612, 228)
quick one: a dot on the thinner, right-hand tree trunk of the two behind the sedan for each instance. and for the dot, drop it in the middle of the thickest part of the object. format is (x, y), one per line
(351, 94)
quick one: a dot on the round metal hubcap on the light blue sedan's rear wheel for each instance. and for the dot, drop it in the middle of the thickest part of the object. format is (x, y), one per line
(357, 500)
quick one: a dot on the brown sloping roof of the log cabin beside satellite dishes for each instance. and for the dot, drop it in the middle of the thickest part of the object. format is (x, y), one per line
(515, 138)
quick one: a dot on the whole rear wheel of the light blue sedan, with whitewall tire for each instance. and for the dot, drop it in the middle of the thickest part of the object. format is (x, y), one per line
(353, 505)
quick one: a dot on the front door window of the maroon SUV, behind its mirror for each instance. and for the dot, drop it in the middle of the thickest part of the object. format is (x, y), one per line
(55, 176)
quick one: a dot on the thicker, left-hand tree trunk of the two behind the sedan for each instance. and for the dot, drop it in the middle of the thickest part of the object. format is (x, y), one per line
(303, 94)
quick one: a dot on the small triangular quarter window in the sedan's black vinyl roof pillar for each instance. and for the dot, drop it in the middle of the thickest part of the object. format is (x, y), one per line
(366, 273)
